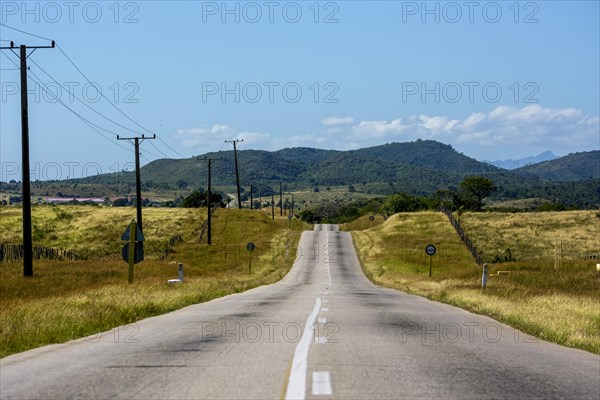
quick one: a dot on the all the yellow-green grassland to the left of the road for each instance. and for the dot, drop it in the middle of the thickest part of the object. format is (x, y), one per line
(65, 300)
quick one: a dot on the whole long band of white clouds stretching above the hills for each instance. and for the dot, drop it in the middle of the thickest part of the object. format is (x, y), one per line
(501, 129)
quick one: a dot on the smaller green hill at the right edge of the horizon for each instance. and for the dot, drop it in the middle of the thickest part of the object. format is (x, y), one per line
(573, 167)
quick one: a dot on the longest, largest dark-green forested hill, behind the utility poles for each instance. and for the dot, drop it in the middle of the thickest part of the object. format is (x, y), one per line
(302, 167)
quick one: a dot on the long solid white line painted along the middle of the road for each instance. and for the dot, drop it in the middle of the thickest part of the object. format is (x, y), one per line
(297, 383)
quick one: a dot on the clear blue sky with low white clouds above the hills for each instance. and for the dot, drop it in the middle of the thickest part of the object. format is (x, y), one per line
(496, 80)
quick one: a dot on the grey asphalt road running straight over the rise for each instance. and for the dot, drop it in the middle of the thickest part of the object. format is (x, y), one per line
(324, 331)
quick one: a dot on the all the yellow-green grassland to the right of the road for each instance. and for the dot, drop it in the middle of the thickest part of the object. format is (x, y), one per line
(559, 305)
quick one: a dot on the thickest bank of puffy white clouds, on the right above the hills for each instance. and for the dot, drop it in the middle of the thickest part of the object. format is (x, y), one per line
(530, 125)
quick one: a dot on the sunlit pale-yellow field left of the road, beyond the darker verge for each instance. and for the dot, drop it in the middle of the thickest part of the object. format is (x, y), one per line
(95, 231)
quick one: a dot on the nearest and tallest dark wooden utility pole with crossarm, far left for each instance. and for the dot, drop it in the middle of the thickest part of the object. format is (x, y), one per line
(26, 188)
